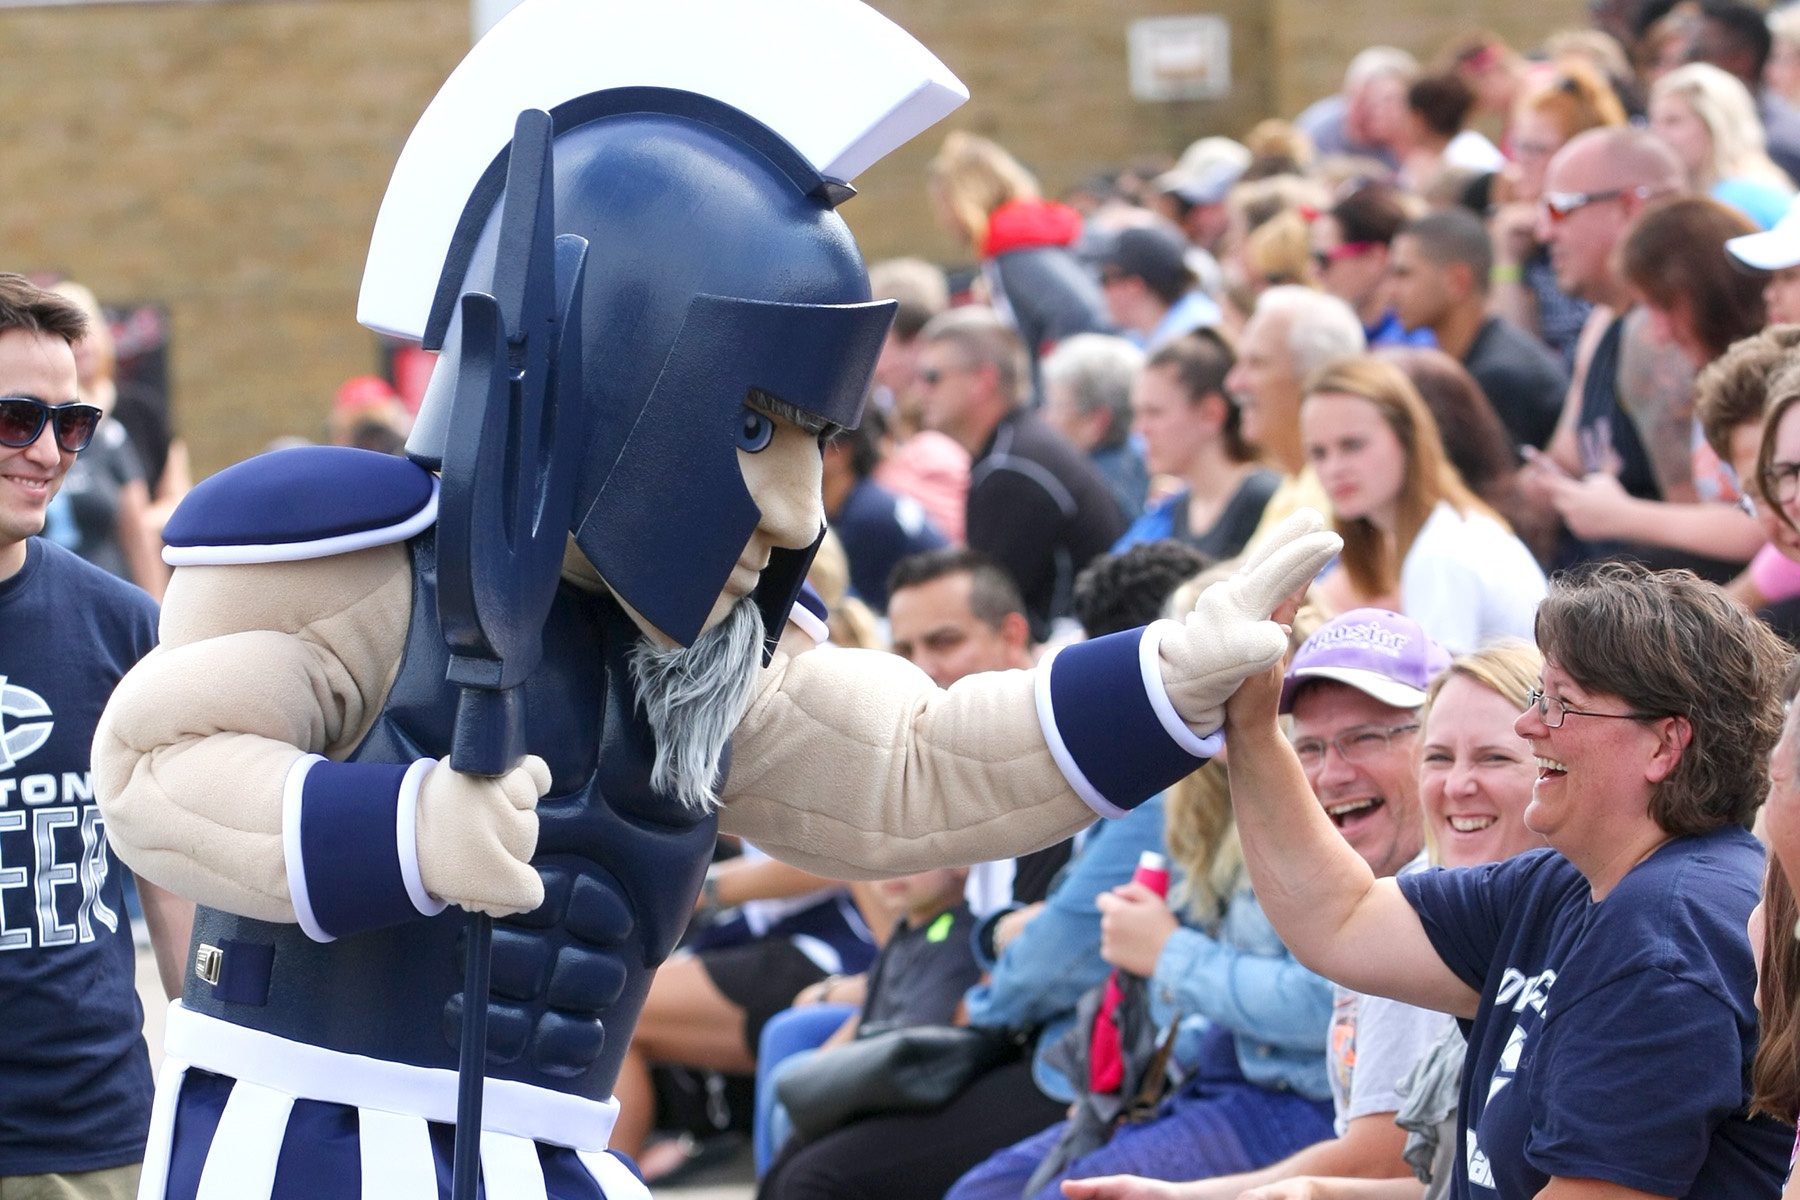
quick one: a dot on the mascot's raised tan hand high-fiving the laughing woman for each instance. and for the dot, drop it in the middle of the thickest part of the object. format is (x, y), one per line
(1230, 638)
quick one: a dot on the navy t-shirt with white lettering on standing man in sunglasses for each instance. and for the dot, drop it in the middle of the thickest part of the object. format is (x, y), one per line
(75, 1075)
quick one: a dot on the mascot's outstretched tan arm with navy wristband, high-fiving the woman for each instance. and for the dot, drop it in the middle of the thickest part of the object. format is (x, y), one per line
(852, 762)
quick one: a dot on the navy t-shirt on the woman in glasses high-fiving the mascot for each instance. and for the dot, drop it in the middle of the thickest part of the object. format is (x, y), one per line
(1614, 1039)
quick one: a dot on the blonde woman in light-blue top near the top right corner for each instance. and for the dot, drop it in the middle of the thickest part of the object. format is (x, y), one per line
(1711, 121)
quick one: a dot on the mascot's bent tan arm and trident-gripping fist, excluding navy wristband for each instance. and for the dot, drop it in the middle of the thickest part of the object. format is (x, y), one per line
(258, 668)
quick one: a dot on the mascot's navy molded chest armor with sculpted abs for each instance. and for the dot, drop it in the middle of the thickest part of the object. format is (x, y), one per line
(620, 868)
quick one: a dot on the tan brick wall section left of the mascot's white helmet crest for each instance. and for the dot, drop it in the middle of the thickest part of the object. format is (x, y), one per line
(226, 159)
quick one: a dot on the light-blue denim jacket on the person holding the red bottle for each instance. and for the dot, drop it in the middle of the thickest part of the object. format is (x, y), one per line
(1246, 981)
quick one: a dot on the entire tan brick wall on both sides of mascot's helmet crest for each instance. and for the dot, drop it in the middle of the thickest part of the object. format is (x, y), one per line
(228, 159)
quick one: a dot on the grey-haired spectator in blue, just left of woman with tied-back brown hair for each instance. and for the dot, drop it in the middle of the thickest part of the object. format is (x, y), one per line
(1088, 388)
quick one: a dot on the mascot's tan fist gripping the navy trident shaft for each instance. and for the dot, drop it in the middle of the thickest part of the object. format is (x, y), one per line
(478, 836)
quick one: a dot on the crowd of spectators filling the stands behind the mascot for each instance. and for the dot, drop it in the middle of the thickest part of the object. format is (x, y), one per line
(1518, 321)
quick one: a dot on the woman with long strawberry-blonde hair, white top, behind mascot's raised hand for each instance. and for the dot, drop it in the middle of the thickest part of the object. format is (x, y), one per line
(1416, 537)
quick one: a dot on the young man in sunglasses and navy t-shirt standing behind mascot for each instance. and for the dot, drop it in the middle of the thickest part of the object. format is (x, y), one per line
(75, 1073)
